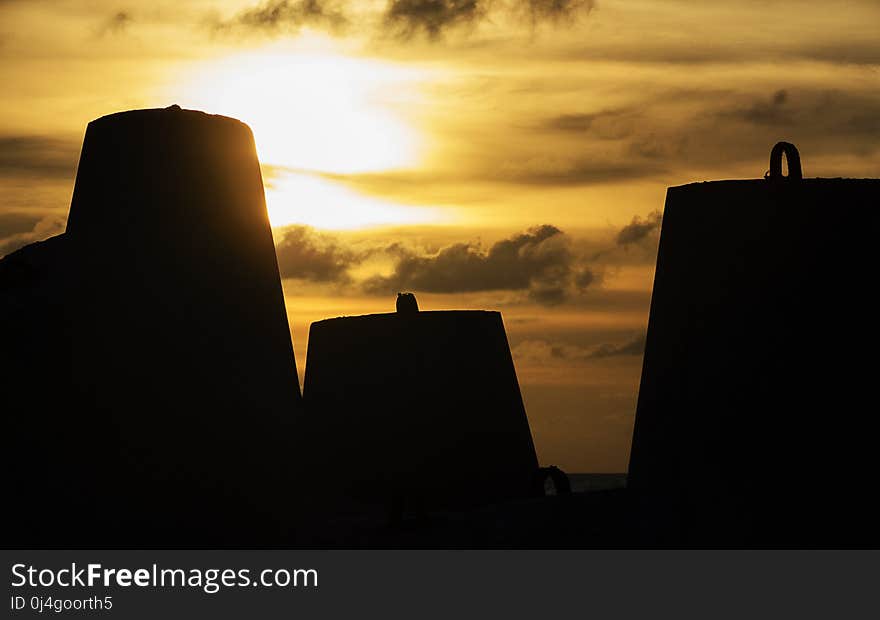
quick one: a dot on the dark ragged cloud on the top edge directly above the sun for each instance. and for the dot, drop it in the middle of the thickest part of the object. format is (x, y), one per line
(277, 16)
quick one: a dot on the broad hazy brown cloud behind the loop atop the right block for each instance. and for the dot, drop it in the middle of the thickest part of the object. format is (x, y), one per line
(685, 134)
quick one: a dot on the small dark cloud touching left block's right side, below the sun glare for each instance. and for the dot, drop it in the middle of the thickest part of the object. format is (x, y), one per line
(306, 255)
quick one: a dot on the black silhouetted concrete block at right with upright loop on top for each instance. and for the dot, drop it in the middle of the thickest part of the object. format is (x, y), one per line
(754, 422)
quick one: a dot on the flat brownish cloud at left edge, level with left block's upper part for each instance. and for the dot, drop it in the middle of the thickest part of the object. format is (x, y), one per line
(37, 156)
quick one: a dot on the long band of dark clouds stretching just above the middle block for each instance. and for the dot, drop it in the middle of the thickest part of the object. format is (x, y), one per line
(542, 264)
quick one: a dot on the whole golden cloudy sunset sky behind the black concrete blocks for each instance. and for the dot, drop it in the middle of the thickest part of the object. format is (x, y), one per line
(508, 155)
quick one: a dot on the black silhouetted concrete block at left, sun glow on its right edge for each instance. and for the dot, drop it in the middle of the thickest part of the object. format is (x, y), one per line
(148, 359)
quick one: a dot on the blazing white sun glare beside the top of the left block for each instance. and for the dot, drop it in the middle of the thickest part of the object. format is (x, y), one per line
(316, 110)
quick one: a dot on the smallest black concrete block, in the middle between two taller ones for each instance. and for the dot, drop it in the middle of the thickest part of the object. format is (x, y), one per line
(420, 404)
